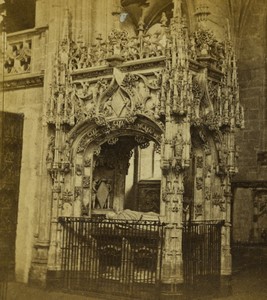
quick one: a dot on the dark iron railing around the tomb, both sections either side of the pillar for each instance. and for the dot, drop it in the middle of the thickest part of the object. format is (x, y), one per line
(125, 257)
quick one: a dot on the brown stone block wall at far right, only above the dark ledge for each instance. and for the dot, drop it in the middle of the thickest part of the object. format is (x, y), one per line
(252, 80)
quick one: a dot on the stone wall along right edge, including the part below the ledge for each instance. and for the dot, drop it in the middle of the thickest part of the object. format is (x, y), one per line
(252, 142)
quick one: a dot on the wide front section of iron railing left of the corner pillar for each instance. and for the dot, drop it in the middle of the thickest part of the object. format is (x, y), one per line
(119, 256)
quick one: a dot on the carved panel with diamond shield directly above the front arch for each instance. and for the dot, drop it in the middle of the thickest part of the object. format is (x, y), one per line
(122, 97)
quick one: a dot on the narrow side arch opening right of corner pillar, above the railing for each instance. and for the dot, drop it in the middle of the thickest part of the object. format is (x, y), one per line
(203, 182)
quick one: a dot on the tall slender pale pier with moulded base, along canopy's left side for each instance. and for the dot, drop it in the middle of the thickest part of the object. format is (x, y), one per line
(41, 246)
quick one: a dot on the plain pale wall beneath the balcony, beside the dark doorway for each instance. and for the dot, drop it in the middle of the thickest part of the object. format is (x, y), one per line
(27, 102)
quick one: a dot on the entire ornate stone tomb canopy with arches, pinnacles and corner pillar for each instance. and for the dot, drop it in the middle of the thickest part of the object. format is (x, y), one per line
(194, 90)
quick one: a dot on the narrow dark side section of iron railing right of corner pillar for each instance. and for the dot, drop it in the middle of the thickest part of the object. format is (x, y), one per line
(201, 251)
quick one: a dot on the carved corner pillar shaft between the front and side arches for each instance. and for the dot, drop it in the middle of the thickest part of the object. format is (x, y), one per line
(172, 197)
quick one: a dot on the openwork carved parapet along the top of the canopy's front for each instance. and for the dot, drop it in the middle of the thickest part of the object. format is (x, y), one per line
(118, 47)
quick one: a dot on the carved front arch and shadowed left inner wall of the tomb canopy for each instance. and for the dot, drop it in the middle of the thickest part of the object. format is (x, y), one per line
(100, 158)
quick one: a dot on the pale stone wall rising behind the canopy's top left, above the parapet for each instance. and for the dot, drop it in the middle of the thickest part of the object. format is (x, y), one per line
(89, 19)
